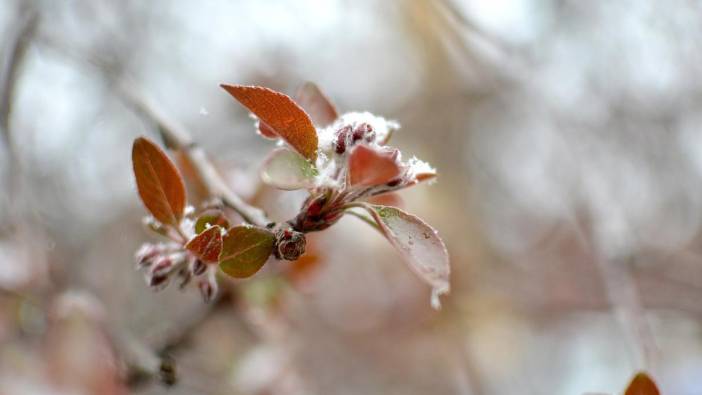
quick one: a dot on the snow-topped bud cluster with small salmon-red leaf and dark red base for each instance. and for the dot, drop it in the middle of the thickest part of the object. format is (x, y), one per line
(355, 164)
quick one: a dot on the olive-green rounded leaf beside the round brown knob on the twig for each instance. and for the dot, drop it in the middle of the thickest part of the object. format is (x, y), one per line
(245, 250)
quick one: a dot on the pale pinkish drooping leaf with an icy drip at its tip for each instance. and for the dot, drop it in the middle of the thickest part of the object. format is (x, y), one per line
(418, 244)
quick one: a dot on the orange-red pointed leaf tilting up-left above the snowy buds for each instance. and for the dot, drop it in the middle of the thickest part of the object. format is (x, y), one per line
(281, 114)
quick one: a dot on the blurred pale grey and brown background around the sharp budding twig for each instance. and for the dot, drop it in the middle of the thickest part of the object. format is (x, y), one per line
(567, 139)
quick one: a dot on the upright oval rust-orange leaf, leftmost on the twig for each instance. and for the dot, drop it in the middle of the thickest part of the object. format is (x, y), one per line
(160, 185)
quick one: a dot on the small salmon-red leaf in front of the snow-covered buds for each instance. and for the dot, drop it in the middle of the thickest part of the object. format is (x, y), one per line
(368, 166)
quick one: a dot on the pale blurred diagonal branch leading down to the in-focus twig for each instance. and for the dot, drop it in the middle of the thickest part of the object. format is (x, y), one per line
(177, 138)
